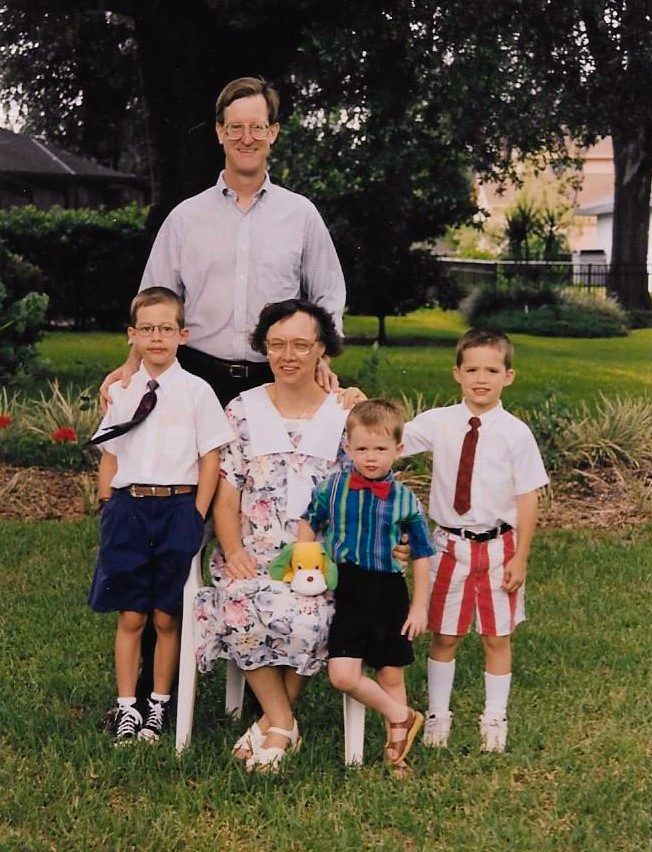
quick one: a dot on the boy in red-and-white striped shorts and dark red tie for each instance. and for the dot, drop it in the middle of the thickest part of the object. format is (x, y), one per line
(486, 472)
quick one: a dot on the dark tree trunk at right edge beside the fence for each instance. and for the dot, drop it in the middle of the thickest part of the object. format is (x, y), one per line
(628, 280)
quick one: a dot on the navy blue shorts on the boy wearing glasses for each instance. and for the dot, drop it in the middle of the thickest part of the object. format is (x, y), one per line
(146, 547)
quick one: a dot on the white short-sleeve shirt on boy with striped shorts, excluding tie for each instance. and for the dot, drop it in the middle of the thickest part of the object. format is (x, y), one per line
(507, 463)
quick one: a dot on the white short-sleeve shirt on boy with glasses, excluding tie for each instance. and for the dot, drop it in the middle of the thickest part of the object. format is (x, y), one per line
(186, 423)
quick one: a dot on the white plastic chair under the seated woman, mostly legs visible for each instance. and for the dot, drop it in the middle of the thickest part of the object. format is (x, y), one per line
(354, 712)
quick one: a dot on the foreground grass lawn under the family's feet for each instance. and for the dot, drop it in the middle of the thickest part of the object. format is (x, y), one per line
(575, 776)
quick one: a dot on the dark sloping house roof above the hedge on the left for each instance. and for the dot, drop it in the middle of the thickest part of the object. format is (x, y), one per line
(24, 155)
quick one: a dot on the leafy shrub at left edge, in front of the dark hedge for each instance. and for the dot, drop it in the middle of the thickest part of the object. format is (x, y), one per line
(22, 311)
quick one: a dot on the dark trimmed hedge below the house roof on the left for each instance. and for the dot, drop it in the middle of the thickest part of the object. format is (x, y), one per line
(91, 260)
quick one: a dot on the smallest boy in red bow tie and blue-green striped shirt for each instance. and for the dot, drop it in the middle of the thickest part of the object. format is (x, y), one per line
(363, 514)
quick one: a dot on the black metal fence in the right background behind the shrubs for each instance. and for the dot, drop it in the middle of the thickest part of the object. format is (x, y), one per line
(587, 277)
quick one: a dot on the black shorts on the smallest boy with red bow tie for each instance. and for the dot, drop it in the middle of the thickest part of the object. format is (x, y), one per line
(370, 610)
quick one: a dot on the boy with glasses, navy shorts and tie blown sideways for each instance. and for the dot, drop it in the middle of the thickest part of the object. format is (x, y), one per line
(157, 477)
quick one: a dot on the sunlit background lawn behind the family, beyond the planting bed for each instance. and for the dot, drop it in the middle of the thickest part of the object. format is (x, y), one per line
(571, 369)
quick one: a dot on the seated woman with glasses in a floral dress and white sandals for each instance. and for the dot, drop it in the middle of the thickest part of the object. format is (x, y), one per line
(290, 436)
